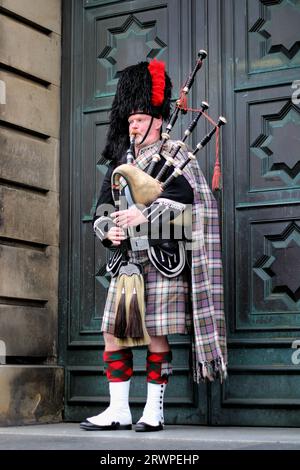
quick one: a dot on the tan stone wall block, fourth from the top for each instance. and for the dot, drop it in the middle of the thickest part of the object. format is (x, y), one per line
(29, 160)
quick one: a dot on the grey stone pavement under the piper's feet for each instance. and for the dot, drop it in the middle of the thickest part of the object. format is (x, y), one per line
(68, 436)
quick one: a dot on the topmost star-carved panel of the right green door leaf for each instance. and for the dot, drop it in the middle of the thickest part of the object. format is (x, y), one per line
(266, 41)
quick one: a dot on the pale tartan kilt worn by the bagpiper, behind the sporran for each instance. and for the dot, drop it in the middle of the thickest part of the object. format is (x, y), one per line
(168, 307)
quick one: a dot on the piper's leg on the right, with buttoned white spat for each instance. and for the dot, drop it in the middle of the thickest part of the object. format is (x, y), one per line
(159, 359)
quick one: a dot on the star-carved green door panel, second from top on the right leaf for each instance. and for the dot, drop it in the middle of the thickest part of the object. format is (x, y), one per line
(270, 122)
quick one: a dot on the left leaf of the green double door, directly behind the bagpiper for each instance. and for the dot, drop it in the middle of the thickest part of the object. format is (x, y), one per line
(101, 39)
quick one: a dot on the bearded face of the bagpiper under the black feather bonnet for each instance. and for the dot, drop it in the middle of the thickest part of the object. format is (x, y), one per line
(138, 125)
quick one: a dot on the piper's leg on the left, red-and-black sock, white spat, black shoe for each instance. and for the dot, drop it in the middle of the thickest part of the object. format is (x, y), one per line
(118, 367)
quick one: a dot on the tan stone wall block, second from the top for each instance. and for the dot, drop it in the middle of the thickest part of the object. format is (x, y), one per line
(29, 50)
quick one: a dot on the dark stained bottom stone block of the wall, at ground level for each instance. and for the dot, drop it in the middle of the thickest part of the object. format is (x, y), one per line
(30, 394)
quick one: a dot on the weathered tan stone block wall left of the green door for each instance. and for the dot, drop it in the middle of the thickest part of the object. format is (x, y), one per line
(31, 382)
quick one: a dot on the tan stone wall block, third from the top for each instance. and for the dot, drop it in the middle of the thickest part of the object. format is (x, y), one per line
(30, 105)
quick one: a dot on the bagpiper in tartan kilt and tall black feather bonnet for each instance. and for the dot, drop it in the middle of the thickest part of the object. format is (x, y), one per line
(158, 216)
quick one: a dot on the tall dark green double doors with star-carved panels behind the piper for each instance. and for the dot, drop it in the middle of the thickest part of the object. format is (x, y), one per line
(249, 75)
